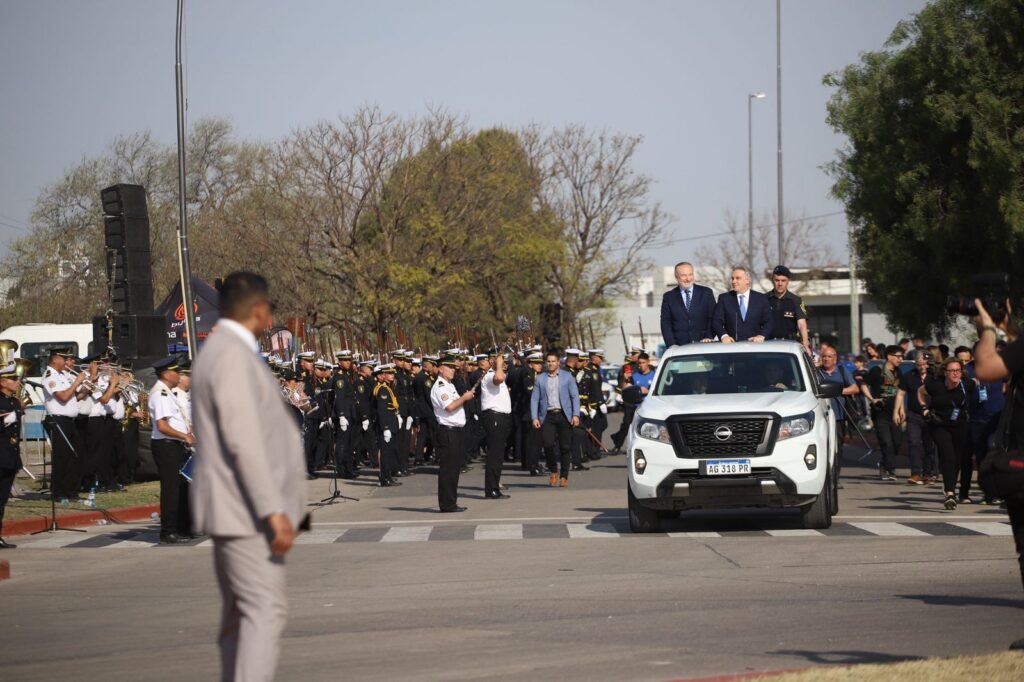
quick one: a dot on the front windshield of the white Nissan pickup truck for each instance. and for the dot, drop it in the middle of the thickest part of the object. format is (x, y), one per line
(719, 374)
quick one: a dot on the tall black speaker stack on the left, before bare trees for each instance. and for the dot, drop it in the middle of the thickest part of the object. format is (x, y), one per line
(136, 332)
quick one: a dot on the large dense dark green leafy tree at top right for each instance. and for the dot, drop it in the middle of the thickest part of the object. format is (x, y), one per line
(933, 173)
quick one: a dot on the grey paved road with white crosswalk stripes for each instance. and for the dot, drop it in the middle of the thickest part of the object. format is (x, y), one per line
(548, 584)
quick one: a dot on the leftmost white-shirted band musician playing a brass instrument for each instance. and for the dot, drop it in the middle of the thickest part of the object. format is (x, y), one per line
(60, 395)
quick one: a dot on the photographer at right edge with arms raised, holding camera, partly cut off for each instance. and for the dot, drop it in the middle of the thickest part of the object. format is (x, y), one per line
(999, 472)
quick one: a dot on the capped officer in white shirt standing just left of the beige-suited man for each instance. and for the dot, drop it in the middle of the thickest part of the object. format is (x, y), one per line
(170, 442)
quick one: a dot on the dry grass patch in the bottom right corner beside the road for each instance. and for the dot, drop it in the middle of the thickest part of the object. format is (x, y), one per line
(1006, 667)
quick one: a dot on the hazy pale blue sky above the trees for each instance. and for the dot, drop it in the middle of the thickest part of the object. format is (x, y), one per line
(76, 75)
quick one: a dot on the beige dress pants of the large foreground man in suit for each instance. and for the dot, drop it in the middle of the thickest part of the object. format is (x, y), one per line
(254, 607)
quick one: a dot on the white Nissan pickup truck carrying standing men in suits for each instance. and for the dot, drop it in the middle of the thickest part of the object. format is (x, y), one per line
(732, 427)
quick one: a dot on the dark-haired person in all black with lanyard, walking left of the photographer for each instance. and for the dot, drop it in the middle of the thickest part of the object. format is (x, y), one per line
(945, 402)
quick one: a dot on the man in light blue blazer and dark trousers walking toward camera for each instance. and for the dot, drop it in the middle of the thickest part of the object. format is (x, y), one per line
(556, 410)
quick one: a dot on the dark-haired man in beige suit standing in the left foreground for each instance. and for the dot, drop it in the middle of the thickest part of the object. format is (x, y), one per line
(248, 491)
